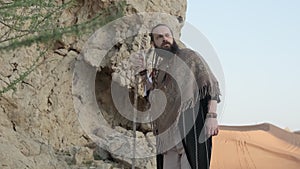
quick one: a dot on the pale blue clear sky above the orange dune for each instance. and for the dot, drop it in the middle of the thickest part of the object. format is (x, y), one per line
(258, 48)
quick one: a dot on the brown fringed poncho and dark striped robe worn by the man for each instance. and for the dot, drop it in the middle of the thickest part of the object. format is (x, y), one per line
(188, 88)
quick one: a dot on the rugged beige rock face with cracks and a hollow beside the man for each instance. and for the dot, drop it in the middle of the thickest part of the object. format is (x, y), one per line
(39, 126)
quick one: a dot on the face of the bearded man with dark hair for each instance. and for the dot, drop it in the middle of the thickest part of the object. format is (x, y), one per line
(162, 37)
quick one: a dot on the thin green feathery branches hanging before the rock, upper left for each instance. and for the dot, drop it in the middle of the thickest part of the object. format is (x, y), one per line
(27, 22)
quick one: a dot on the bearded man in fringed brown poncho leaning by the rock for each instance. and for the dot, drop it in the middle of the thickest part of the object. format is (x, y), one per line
(191, 107)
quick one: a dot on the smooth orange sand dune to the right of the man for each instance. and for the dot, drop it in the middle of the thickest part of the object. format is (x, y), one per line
(262, 146)
